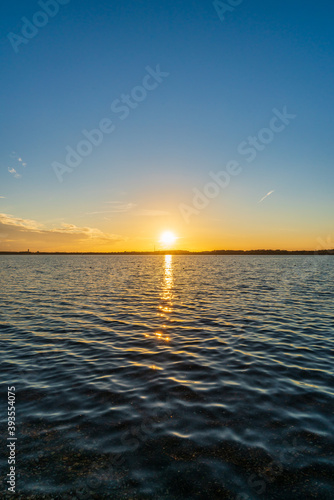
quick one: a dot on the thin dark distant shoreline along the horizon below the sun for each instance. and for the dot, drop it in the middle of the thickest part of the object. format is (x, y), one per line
(185, 252)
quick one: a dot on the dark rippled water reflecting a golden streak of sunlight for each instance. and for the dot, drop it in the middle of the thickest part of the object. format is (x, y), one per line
(152, 377)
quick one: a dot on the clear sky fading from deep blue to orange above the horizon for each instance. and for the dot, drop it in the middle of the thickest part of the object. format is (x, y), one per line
(122, 120)
